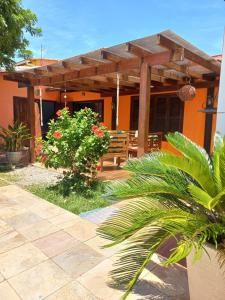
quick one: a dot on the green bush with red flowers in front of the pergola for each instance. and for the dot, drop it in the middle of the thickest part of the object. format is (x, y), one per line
(75, 143)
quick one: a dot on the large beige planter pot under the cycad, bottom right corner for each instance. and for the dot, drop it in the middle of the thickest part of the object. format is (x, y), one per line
(205, 277)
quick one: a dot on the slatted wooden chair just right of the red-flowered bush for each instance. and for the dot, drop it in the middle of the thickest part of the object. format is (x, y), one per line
(118, 147)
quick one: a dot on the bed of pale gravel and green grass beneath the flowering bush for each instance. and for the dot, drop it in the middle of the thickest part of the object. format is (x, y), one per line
(44, 184)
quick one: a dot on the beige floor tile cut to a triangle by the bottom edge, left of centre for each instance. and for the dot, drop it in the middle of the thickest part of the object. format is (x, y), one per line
(72, 291)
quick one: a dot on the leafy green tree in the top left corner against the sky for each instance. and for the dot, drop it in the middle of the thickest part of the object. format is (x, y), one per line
(15, 23)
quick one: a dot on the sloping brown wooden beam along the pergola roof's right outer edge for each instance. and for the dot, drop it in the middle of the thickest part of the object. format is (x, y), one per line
(167, 43)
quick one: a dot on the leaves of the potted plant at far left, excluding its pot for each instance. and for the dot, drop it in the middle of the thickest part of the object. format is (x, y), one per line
(15, 136)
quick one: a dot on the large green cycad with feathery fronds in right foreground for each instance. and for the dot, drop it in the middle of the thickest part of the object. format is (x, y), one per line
(179, 195)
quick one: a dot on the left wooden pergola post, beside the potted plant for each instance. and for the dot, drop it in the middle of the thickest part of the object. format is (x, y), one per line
(31, 104)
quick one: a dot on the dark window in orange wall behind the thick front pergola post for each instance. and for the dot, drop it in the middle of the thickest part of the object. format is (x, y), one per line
(166, 113)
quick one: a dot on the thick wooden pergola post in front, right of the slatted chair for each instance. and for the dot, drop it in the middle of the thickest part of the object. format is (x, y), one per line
(144, 108)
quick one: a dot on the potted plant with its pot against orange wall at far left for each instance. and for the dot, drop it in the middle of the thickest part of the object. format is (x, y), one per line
(14, 137)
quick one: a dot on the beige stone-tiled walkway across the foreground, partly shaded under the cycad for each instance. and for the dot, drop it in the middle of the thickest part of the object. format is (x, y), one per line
(49, 253)
